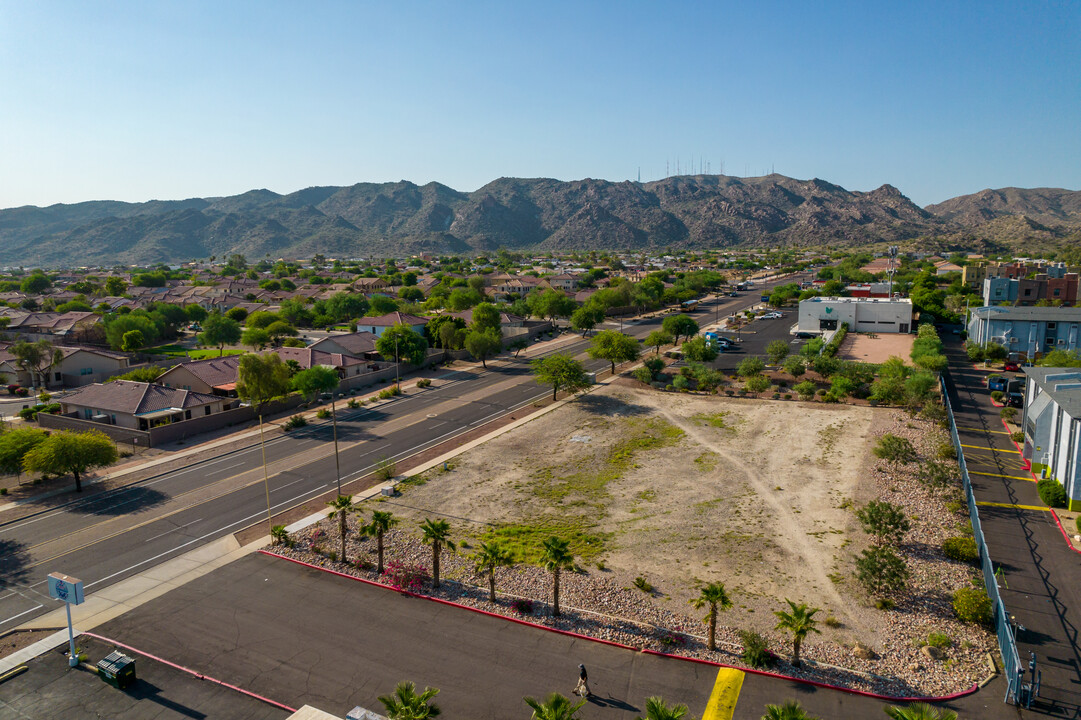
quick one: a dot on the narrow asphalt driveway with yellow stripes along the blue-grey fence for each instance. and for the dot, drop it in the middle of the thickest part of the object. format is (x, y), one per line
(1039, 572)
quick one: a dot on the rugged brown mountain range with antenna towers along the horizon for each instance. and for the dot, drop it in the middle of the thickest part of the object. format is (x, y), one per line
(535, 215)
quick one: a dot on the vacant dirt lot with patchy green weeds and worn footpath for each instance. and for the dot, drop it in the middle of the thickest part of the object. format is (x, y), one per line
(679, 490)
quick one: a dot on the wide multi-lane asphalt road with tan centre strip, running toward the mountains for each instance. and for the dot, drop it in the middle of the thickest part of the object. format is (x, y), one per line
(113, 536)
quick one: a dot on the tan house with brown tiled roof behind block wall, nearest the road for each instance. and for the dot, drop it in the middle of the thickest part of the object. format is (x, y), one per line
(139, 406)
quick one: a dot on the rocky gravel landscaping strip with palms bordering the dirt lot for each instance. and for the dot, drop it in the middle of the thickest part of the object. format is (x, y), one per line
(595, 605)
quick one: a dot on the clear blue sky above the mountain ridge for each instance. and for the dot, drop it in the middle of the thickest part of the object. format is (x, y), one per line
(139, 101)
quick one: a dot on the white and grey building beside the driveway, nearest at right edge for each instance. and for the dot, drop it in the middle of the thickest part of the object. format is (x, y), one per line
(1052, 425)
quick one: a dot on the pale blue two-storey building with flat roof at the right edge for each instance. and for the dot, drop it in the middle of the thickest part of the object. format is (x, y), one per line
(1027, 332)
